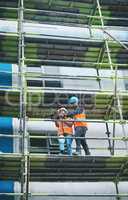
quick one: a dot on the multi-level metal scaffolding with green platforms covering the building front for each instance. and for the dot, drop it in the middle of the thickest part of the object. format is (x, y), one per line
(102, 105)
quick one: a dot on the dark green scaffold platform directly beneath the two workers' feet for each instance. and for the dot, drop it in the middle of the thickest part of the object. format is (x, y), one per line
(64, 168)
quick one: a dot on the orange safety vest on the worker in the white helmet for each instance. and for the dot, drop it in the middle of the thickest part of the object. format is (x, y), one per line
(64, 128)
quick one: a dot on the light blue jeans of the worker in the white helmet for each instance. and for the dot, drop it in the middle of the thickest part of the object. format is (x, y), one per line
(68, 140)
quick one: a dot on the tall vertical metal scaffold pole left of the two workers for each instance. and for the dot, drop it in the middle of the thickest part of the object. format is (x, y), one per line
(23, 100)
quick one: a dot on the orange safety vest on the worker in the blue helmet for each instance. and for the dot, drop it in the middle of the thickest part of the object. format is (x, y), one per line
(80, 117)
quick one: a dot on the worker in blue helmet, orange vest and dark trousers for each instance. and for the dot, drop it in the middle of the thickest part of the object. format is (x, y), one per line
(80, 126)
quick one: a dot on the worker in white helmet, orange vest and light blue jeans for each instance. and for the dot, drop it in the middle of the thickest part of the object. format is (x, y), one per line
(65, 131)
